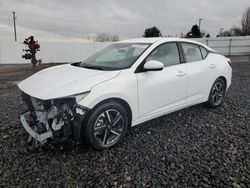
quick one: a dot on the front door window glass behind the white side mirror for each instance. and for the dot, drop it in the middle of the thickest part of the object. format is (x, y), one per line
(167, 53)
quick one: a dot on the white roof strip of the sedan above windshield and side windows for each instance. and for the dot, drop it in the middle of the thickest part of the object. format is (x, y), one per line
(152, 40)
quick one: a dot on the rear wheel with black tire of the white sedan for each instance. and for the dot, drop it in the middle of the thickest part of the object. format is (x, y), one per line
(217, 93)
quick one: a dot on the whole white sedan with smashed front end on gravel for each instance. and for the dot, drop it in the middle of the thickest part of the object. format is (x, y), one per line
(123, 85)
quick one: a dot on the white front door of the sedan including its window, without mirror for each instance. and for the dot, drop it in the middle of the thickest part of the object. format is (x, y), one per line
(161, 91)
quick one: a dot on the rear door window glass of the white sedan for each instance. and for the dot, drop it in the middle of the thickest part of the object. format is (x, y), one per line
(192, 52)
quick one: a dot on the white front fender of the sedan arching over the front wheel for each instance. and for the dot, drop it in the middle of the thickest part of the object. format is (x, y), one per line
(123, 86)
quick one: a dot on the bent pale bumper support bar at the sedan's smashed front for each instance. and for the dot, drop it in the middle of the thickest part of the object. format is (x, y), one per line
(42, 138)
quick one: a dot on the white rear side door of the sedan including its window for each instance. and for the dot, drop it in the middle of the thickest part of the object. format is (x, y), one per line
(200, 72)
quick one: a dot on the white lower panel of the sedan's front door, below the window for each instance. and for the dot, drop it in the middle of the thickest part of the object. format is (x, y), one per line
(162, 90)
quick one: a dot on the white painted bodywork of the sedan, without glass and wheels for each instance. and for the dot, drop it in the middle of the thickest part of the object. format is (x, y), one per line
(149, 94)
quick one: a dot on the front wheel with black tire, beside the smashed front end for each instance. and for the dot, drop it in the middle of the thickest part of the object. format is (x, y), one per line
(106, 125)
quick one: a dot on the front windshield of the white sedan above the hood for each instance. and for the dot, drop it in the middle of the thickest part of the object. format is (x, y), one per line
(115, 56)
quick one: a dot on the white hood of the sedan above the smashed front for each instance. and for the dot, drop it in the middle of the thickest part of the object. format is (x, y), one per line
(64, 80)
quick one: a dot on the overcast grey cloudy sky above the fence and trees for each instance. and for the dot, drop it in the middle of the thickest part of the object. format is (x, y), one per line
(84, 19)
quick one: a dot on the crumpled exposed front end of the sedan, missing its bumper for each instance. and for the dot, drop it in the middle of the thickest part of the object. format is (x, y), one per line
(52, 120)
